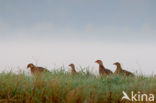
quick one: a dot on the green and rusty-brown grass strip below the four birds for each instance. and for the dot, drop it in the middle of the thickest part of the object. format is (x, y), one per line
(62, 87)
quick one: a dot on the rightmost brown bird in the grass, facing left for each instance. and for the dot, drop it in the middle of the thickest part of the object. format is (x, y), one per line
(119, 70)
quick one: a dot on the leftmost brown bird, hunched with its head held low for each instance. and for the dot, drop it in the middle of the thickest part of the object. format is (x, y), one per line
(34, 69)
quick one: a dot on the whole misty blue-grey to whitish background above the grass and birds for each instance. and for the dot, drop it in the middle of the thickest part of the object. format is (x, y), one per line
(54, 33)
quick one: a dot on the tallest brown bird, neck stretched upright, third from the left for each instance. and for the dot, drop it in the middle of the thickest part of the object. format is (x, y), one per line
(102, 69)
